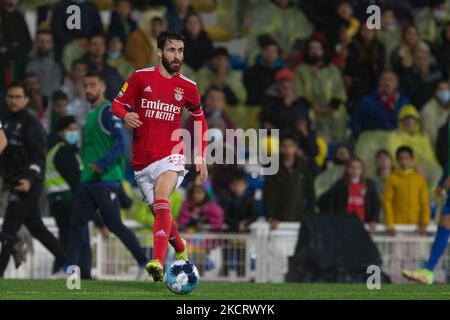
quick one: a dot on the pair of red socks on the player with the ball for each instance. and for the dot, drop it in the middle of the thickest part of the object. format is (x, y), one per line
(164, 230)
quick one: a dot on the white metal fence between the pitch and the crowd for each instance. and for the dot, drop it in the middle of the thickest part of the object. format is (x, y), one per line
(260, 256)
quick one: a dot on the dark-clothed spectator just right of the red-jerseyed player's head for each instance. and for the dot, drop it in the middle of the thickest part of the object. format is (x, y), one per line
(198, 47)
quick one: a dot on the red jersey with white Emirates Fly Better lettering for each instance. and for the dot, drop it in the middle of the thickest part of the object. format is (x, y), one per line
(159, 102)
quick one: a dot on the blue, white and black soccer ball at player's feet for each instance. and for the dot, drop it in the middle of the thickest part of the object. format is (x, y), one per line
(181, 277)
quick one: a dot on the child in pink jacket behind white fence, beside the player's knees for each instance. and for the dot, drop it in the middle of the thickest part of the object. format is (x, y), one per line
(199, 213)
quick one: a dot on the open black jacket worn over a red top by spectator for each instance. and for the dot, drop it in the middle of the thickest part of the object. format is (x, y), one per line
(337, 198)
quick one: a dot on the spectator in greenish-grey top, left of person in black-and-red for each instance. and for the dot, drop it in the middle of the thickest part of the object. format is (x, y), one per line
(334, 171)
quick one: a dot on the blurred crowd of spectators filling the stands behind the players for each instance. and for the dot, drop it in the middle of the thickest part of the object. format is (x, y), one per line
(363, 114)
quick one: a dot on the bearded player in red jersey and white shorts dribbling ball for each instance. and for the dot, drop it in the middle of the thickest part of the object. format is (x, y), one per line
(152, 102)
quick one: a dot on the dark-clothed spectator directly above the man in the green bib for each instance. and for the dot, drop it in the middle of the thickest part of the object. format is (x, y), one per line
(95, 60)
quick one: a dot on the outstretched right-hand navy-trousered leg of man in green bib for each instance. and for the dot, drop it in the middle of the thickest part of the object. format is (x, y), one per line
(107, 201)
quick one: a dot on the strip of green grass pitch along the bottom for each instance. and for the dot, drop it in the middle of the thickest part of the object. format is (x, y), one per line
(115, 290)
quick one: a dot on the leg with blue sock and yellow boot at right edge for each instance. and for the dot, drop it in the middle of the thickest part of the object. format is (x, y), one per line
(440, 243)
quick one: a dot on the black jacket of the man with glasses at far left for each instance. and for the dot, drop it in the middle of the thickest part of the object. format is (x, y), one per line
(24, 157)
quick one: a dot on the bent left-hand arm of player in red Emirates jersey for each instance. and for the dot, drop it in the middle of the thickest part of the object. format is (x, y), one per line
(122, 104)
